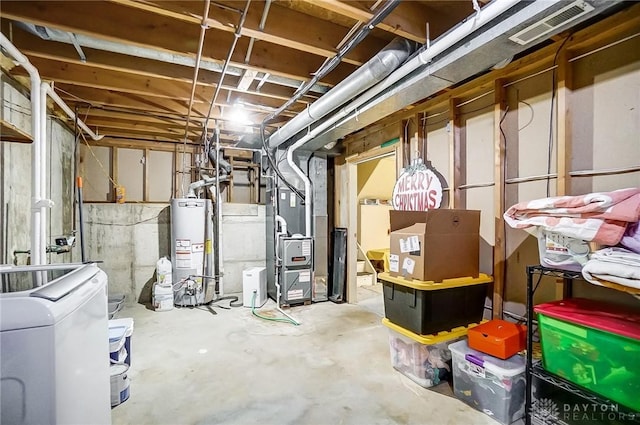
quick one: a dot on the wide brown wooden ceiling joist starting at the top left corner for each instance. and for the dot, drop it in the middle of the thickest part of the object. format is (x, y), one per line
(166, 34)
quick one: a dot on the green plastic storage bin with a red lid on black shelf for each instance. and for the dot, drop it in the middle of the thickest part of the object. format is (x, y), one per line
(595, 345)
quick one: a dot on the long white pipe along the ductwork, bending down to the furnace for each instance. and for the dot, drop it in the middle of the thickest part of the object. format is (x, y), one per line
(491, 11)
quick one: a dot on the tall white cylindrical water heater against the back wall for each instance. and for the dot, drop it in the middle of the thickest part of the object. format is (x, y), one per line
(192, 251)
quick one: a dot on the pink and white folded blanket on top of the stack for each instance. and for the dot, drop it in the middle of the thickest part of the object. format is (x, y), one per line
(598, 217)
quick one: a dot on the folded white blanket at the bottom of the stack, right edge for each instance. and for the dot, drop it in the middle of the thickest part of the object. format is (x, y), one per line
(617, 265)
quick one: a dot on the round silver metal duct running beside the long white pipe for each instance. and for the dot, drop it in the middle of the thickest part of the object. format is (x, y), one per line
(372, 72)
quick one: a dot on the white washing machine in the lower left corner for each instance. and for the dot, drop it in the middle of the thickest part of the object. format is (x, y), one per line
(54, 347)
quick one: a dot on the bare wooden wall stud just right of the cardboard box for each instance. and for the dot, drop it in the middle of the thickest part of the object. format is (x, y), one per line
(499, 255)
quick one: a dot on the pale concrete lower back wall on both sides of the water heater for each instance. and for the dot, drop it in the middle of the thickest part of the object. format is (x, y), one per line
(130, 238)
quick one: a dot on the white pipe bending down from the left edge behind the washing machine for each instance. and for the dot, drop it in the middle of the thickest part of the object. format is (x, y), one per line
(35, 148)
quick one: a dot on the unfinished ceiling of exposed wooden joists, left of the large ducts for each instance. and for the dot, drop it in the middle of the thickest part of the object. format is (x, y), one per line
(128, 66)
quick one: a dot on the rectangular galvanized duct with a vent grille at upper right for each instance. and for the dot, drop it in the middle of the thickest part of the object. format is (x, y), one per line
(433, 70)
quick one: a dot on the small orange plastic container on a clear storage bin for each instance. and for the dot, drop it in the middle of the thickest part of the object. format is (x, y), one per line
(498, 338)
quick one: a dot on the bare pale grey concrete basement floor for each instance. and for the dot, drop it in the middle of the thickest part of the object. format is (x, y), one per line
(189, 366)
